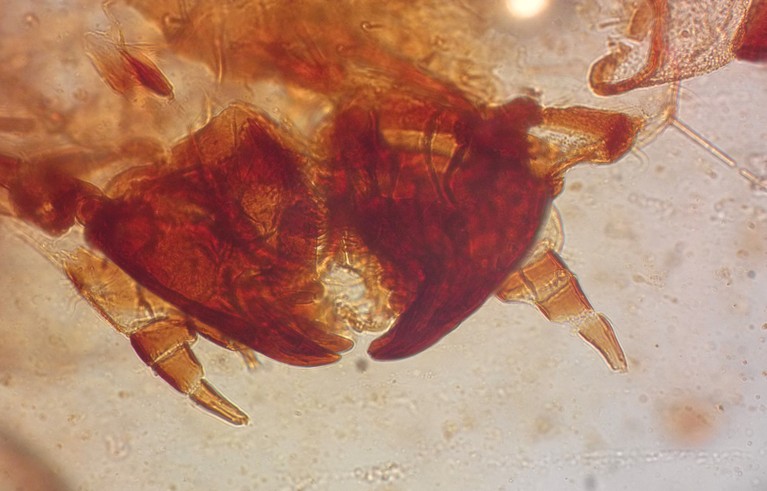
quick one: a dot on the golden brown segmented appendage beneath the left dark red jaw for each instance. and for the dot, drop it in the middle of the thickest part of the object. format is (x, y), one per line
(160, 334)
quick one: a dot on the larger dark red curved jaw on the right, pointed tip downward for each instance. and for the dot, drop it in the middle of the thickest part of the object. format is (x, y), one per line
(446, 229)
